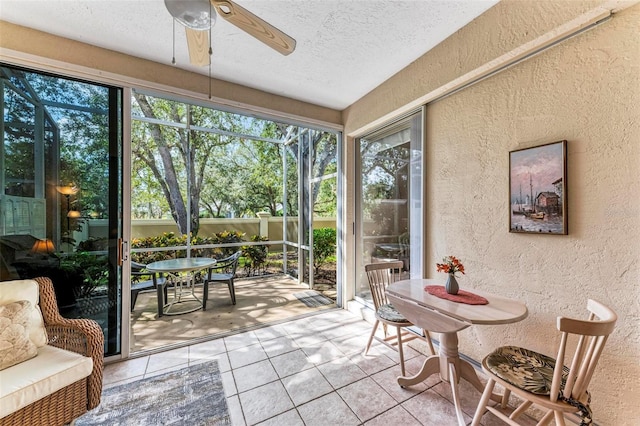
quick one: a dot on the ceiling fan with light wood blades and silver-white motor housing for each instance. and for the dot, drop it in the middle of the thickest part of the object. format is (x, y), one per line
(198, 16)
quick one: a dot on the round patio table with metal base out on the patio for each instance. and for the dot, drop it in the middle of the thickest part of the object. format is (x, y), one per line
(181, 273)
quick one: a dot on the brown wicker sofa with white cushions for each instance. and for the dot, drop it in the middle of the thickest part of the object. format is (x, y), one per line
(64, 379)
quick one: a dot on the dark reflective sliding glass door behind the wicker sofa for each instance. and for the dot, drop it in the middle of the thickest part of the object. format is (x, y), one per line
(60, 196)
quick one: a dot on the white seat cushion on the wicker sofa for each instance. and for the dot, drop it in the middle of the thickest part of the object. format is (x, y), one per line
(51, 370)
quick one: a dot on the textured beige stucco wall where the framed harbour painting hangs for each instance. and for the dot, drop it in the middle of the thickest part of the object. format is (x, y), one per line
(585, 90)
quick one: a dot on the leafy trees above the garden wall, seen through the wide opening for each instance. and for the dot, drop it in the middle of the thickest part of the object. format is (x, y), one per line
(227, 164)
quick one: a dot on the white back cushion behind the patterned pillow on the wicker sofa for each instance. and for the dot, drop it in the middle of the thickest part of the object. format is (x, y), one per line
(17, 290)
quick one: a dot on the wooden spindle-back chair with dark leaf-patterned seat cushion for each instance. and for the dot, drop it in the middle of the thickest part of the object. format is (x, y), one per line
(549, 383)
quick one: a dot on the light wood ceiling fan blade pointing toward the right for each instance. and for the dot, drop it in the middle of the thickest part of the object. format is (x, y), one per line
(251, 24)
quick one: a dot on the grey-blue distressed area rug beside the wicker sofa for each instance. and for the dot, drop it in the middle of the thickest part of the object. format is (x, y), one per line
(191, 396)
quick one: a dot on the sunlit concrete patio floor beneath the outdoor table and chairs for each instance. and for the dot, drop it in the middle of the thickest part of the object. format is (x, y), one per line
(259, 301)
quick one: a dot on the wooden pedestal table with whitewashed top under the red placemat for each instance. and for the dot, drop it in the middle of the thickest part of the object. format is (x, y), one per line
(447, 318)
